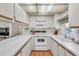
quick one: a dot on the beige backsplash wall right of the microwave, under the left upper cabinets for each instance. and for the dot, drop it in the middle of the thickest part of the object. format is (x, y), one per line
(18, 28)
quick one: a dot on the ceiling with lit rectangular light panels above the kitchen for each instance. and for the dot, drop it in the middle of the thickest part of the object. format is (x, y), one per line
(44, 9)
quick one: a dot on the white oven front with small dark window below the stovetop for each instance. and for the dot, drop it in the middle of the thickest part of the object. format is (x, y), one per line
(41, 43)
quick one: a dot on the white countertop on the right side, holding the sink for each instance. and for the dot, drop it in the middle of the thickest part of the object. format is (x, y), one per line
(71, 46)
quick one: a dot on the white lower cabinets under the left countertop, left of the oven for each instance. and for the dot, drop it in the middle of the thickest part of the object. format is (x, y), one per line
(26, 50)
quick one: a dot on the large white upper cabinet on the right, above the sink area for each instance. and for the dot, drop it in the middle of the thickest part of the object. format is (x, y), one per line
(74, 14)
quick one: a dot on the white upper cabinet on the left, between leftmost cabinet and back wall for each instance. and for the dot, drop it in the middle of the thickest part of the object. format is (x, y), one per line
(20, 14)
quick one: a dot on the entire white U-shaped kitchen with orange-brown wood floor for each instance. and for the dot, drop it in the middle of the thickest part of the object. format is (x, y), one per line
(28, 29)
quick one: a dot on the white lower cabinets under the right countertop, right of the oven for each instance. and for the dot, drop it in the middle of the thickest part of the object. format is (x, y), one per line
(57, 49)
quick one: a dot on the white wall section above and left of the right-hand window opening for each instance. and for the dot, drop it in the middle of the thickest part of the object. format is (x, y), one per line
(58, 17)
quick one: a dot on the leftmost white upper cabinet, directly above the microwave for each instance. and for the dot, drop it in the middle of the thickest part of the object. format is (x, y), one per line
(7, 10)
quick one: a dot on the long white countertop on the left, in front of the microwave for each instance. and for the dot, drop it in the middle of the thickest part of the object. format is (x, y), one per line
(10, 46)
